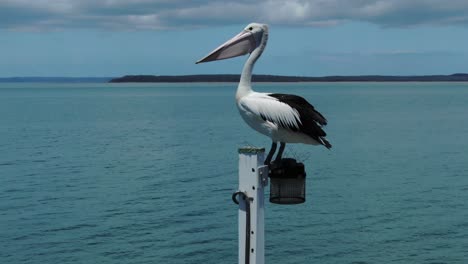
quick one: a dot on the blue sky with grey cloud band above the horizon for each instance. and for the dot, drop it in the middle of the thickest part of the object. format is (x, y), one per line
(79, 38)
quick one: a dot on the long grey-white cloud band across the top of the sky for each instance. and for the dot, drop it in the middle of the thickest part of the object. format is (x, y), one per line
(167, 14)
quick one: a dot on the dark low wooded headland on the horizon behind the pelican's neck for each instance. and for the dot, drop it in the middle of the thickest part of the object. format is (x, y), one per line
(457, 77)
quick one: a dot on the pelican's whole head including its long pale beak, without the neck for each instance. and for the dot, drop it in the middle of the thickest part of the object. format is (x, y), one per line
(253, 36)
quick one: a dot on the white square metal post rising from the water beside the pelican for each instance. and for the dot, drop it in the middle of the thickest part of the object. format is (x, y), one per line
(253, 177)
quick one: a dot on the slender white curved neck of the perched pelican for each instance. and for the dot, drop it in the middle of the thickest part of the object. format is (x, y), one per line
(245, 84)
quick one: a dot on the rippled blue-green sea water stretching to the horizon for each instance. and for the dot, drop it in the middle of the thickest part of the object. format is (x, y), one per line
(125, 173)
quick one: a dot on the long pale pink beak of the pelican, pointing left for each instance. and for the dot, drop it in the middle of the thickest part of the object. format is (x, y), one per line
(239, 45)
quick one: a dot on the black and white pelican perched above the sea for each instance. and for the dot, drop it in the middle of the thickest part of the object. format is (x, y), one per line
(285, 118)
